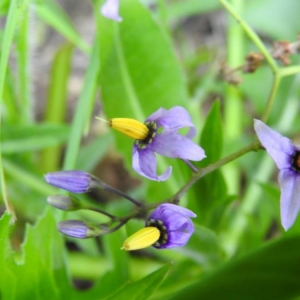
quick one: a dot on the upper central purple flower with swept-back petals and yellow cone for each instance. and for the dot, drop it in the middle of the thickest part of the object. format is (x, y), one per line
(159, 134)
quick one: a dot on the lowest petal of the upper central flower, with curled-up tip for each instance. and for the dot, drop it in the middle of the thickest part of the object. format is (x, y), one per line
(144, 163)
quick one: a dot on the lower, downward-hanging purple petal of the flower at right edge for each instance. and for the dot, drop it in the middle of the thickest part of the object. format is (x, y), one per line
(289, 182)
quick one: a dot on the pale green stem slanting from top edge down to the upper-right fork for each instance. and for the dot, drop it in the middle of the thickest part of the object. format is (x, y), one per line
(252, 35)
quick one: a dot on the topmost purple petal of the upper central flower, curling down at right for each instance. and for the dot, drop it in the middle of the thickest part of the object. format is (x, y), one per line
(173, 119)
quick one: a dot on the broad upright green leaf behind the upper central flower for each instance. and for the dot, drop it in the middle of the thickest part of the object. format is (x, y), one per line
(140, 74)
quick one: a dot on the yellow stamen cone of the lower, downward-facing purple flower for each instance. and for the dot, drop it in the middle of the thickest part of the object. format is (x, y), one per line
(142, 239)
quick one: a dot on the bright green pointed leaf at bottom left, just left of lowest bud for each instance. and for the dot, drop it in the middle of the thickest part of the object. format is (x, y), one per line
(43, 262)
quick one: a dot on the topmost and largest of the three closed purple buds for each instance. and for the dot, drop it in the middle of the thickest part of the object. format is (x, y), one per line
(72, 181)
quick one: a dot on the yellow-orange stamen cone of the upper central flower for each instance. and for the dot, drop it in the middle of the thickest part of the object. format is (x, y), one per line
(130, 127)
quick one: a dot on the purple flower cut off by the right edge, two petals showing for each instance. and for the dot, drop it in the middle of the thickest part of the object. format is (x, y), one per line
(287, 158)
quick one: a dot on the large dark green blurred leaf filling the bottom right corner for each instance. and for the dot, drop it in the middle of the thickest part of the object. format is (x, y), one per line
(271, 272)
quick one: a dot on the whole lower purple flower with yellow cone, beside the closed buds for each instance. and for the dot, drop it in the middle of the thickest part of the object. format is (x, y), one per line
(168, 226)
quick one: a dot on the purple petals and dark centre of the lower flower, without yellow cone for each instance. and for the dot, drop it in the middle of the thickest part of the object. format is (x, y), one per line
(174, 224)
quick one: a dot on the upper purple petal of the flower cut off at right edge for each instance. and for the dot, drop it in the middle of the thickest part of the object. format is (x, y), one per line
(279, 147)
